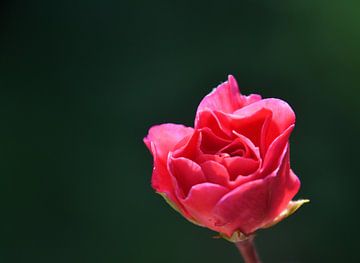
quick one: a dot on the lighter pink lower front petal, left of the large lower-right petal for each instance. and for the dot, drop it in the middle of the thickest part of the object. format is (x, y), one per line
(201, 200)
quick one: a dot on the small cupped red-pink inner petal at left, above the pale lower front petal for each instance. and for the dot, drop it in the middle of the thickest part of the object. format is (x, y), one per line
(187, 174)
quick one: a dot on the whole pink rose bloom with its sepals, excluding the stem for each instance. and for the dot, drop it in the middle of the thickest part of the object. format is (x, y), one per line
(231, 172)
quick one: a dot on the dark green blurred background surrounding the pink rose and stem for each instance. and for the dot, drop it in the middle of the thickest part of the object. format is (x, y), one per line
(82, 81)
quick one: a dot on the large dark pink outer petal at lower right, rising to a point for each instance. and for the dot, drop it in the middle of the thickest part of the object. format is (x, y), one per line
(254, 204)
